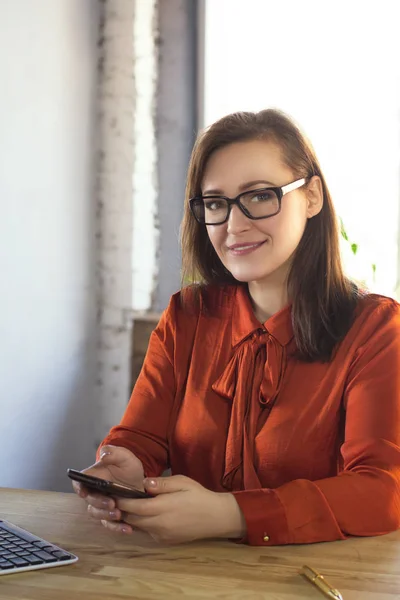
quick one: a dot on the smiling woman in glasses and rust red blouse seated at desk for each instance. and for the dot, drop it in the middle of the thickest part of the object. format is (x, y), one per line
(272, 387)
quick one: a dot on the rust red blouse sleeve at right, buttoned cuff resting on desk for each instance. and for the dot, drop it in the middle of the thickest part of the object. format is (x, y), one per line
(364, 499)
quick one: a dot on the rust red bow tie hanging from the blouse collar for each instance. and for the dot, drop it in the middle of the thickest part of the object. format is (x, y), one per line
(251, 382)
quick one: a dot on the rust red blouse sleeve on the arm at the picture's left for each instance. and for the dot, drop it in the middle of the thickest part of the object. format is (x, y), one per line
(143, 428)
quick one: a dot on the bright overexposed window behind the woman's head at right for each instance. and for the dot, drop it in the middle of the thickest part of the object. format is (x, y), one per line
(334, 67)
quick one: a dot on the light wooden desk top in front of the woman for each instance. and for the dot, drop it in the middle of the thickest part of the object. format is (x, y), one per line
(114, 567)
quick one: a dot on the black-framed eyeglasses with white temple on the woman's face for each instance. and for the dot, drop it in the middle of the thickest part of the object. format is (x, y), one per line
(255, 204)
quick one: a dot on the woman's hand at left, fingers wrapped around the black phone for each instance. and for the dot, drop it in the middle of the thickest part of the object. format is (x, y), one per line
(116, 464)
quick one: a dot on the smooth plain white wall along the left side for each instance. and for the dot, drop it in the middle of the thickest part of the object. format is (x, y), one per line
(48, 62)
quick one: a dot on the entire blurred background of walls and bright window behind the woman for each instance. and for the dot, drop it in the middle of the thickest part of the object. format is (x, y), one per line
(100, 103)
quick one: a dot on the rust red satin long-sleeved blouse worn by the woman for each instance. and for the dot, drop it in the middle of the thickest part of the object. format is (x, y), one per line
(310, 451)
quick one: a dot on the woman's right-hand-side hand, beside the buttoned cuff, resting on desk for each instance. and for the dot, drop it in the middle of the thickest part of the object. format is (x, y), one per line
(182, 510)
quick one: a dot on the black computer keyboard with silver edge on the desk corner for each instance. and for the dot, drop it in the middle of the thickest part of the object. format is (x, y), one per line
(21, 550)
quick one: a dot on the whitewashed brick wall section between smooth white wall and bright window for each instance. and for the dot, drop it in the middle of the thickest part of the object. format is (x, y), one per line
(147, 106)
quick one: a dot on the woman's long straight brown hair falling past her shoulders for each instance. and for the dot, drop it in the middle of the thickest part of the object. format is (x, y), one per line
(323, 299)
